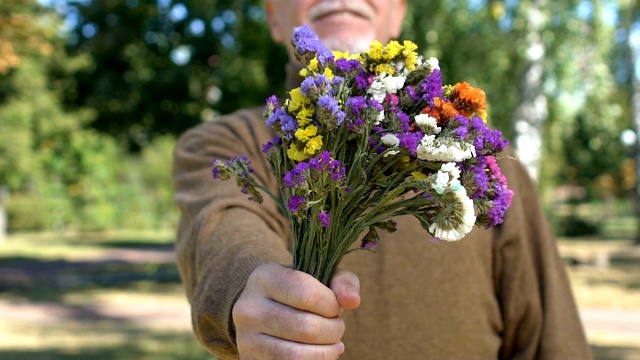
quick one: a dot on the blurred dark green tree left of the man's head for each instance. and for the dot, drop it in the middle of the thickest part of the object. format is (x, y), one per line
(162, 67)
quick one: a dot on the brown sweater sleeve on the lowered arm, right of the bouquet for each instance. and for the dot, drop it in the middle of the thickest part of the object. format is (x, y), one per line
(540, 317)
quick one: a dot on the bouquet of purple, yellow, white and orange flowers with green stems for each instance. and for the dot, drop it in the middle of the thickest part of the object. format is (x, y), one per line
(371, 136)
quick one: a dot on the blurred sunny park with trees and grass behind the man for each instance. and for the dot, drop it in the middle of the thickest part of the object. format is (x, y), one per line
(94, 93)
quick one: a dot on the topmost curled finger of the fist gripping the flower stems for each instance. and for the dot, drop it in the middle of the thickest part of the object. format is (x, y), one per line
(299, 290)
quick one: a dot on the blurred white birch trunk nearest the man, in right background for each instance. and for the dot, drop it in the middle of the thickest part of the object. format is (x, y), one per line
(532, 111)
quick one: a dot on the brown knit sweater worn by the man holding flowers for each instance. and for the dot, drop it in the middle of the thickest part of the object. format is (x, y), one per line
(500, 293)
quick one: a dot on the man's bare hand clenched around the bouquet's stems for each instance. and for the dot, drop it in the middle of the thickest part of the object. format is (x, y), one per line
(287, 314)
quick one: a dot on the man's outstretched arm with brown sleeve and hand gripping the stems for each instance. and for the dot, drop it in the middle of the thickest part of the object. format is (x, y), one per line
(227, 247)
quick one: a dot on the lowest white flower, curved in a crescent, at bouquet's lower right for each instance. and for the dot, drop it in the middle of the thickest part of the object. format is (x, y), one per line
(465, 218)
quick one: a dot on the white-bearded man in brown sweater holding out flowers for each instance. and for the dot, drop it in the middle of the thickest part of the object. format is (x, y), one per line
(499, 293)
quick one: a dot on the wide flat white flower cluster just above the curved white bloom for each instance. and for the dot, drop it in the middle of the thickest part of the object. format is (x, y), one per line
(436, 149)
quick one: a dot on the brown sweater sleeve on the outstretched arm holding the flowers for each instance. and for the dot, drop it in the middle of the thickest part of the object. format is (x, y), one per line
(223, 236)
